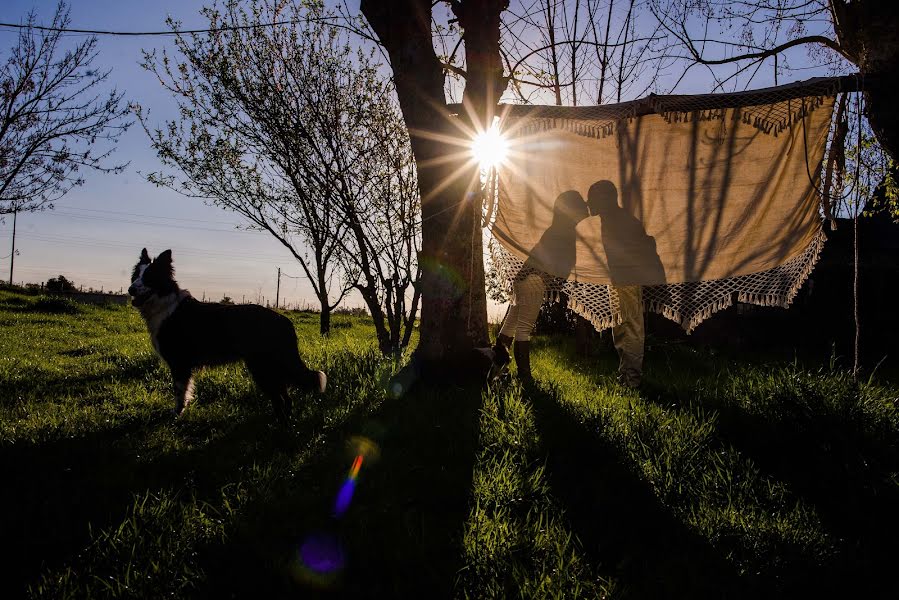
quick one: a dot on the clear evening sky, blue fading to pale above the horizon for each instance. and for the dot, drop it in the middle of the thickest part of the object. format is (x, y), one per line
(95, 234)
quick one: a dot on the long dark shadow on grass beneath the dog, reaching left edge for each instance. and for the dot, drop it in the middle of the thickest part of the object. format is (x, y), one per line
(58, 491)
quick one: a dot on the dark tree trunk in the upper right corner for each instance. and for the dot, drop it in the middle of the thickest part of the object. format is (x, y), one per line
(868, 30)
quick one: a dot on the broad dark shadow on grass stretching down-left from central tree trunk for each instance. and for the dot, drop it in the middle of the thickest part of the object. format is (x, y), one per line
(400, 537)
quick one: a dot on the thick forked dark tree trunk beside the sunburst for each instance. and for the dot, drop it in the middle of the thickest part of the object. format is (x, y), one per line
(454, 303)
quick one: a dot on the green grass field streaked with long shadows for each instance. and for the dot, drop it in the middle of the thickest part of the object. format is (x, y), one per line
(723, 478)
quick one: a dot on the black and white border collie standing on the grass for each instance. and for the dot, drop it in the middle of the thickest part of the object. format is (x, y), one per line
(189, 334)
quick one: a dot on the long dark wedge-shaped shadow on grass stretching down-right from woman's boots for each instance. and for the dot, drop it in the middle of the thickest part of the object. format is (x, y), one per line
(622, 527)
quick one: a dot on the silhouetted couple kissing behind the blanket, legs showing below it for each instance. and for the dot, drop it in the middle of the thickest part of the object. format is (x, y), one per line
(631, 258)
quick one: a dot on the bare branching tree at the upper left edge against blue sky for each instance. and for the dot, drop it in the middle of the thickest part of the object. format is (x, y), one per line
(52, 114)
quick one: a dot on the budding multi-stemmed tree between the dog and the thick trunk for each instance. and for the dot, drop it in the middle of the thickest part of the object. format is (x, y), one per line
(291, 128)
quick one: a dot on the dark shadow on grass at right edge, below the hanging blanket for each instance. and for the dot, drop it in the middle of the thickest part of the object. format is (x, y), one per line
(845, 465)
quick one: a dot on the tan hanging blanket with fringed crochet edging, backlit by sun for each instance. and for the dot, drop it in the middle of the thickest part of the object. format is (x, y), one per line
(703, 200)
